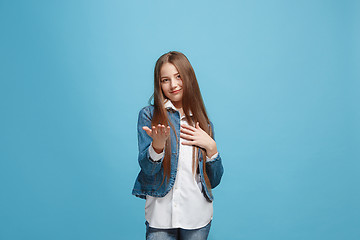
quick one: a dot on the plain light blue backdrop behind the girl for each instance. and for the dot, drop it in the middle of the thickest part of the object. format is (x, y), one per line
(280, 80)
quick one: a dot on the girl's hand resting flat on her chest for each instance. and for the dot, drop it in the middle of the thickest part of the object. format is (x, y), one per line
(197, 136)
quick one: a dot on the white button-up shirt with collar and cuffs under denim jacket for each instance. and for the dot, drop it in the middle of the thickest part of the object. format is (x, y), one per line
(184, 206)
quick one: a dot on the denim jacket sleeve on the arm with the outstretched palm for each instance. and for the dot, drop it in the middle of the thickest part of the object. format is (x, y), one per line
(147, 165)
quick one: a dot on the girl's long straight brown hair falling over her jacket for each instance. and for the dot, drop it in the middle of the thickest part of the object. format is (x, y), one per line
(191, 101)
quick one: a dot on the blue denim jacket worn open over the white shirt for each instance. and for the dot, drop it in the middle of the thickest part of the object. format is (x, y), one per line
(150, 176)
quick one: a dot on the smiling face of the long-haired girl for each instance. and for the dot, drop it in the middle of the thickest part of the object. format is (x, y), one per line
(171, 84)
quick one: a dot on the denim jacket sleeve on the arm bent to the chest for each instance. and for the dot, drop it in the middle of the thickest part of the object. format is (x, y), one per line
(214, 167)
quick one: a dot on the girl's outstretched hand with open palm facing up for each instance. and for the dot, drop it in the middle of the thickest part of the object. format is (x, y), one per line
(159, 134)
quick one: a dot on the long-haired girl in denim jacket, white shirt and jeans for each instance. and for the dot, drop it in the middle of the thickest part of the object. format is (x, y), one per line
(178, 156)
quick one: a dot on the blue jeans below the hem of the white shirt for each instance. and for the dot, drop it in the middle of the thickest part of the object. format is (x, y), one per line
(177, 233)
